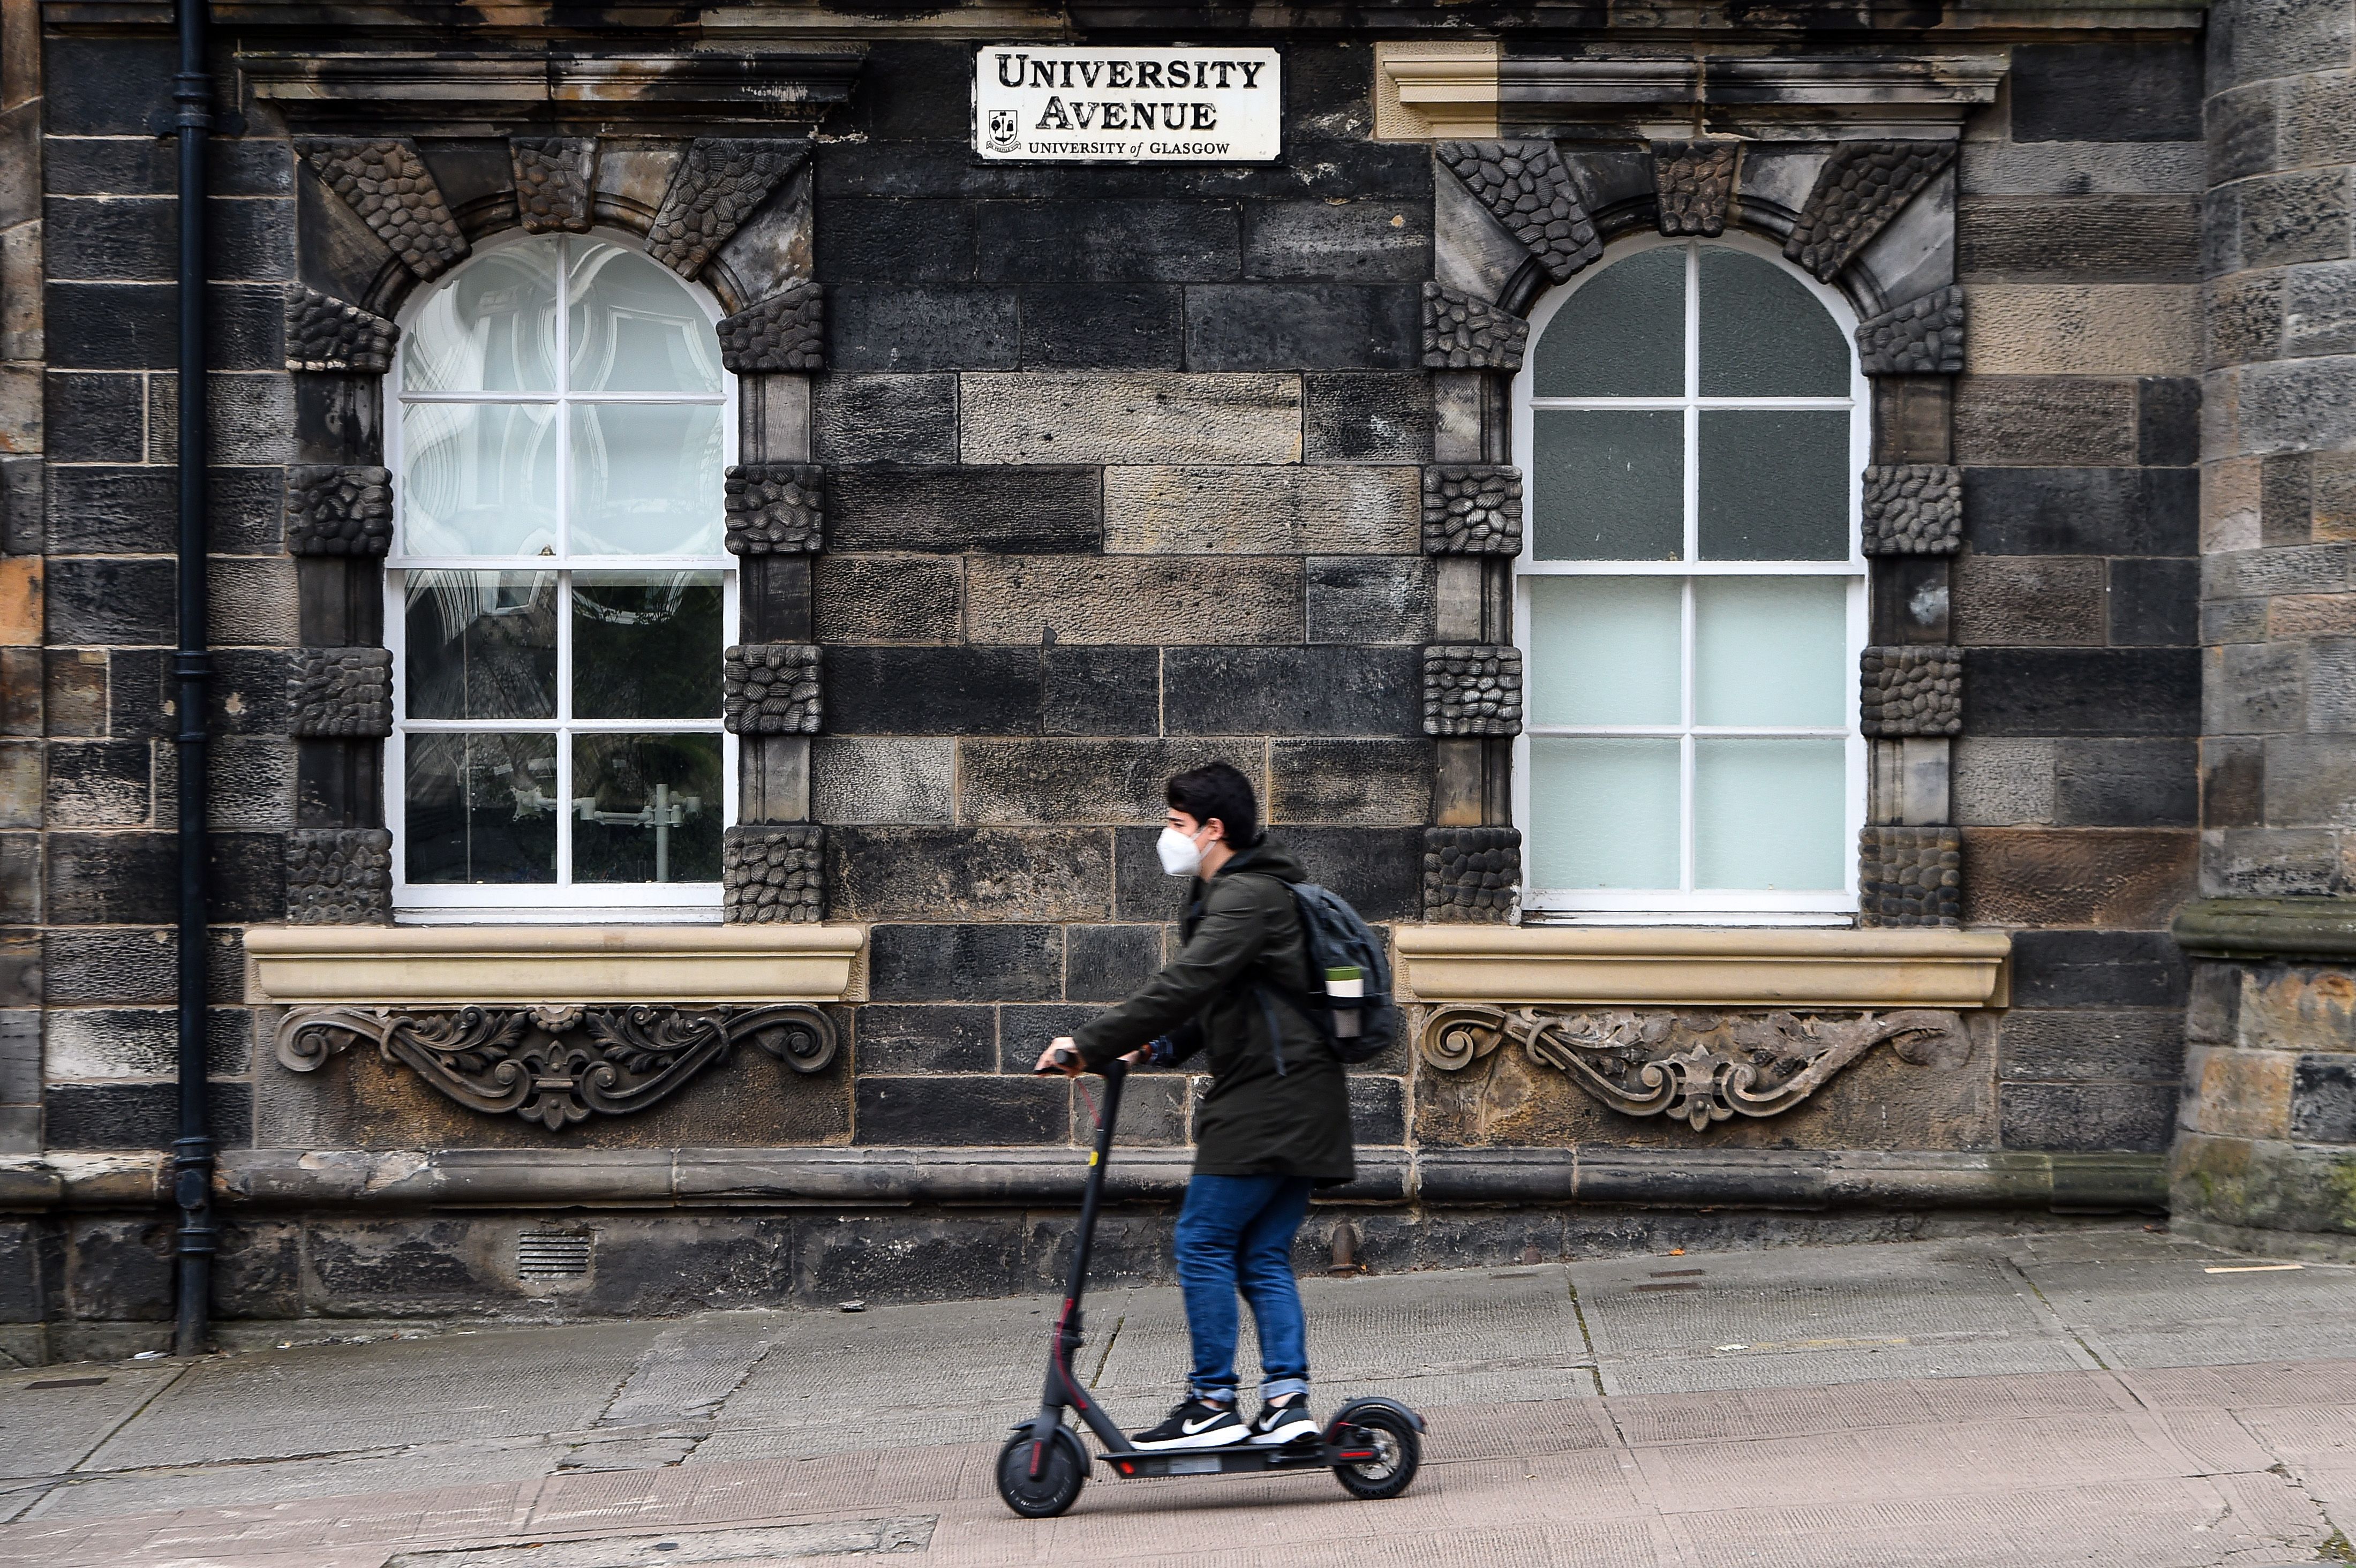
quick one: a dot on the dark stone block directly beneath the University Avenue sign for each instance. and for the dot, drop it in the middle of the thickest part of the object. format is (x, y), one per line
(1108, 241)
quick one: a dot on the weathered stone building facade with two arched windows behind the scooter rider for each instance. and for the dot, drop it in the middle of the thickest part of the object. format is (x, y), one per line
(670, 423)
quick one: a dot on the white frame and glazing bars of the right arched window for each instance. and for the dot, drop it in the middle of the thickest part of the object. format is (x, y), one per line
(1688, 905)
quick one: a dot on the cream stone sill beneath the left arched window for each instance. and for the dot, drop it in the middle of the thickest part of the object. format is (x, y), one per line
(555, 964)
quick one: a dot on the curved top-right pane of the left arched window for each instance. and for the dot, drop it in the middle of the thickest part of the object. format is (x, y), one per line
(635, 328)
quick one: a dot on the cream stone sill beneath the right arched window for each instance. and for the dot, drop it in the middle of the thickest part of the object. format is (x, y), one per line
(1705, 966)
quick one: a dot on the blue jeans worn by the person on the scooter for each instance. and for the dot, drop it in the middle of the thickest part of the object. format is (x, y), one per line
(1240, 1233)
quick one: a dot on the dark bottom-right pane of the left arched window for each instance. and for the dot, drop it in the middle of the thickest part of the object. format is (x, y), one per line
(647, 809)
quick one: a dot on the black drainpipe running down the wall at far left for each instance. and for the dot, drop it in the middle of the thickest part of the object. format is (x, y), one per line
(192, 670)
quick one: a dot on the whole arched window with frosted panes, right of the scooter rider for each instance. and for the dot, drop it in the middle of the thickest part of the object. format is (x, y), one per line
(1690, 592)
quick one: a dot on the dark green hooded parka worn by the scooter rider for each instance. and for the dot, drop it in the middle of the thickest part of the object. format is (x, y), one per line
(1219, 995)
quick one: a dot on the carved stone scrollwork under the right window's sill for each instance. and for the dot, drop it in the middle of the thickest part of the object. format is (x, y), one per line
(1693, 1068)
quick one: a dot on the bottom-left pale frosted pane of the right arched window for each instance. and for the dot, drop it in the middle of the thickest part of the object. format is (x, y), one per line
(1603, 813)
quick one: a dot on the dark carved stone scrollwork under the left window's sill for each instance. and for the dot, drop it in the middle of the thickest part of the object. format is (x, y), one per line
(557, 1065)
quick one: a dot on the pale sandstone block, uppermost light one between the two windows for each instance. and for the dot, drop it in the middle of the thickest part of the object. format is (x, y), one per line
(1153, 418)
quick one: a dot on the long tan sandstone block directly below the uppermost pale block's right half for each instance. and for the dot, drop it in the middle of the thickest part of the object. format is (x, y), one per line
(1309, 510)
